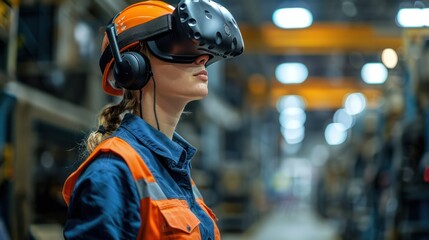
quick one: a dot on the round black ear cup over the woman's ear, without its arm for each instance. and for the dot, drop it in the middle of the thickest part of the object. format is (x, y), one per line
(137, 71)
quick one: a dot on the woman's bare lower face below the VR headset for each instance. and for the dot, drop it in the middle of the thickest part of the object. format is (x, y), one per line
(182, 82)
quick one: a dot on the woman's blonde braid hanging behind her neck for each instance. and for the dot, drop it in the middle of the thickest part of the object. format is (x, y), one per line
(110, 118)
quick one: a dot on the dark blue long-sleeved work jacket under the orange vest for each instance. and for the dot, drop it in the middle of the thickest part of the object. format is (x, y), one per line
(105, 200)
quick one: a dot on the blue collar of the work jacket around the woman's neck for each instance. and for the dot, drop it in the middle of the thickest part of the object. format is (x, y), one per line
(178, 149)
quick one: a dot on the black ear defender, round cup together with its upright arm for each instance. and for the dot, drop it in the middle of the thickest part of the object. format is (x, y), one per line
(131, 70)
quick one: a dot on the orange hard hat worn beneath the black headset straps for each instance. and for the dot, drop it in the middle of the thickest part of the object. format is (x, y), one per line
(132, 16)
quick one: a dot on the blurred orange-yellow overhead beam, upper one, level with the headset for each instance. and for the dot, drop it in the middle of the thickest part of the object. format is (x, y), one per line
(320, 38)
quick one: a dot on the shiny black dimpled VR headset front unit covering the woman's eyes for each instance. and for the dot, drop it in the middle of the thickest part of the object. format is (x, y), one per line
(199, 27)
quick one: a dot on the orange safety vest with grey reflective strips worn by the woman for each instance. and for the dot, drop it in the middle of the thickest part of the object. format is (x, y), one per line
(161, 218)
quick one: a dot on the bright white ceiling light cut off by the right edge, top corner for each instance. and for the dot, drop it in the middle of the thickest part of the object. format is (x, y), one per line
(413, 17)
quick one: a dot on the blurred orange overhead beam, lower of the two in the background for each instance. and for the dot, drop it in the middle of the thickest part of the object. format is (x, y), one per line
(319, 93)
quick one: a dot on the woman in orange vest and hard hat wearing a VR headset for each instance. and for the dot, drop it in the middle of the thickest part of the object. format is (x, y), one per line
(136, 182)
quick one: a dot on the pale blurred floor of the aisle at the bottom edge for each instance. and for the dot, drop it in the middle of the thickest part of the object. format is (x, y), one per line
(288, 223)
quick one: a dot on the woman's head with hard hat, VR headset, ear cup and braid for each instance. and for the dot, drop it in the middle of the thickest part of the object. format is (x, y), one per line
(175, 46)
